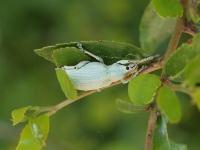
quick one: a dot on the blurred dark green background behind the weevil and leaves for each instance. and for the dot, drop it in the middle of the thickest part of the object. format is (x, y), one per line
(26, 79)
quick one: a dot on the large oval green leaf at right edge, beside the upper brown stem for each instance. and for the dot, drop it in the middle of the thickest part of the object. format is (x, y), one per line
(176, 64)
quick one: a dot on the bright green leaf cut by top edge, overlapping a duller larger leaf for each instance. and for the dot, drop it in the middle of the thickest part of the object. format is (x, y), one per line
(168, 8)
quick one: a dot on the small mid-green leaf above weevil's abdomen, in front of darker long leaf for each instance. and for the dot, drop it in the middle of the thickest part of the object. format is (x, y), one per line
(69, 56)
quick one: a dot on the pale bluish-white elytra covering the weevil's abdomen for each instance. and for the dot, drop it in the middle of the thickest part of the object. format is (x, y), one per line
(91, 76)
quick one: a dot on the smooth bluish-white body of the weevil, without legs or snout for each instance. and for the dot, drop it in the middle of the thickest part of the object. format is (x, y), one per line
(87, 76)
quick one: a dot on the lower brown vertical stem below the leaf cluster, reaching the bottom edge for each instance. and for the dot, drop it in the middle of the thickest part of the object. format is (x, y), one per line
(150, 129)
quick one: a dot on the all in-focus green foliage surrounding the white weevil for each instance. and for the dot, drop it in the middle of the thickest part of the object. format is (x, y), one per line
(180, 72)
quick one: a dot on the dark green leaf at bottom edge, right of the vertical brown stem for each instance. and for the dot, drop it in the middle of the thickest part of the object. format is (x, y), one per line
(161, 140)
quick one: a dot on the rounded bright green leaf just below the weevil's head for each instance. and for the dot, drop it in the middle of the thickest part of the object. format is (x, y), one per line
(142, 88)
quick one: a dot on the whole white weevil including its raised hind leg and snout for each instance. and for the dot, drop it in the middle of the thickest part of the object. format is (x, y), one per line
(88, 75)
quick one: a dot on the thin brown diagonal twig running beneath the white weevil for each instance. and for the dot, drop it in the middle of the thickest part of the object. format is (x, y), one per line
(53, 109)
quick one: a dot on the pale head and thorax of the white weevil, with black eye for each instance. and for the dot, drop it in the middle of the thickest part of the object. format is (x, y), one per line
(119, 70)
